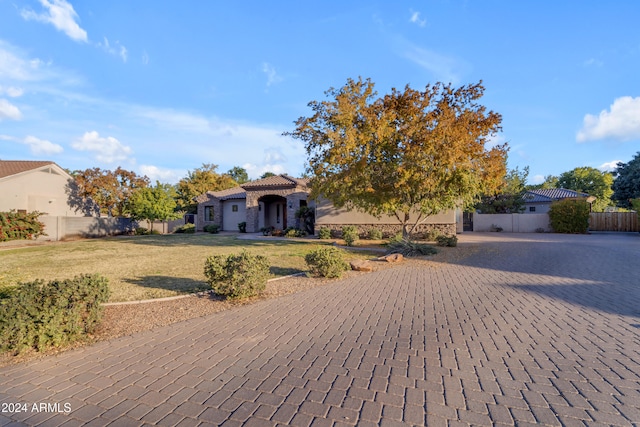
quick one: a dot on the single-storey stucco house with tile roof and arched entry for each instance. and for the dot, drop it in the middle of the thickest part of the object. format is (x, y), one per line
(273, 202)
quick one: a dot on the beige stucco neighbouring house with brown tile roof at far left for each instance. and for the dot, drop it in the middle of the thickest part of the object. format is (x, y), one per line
(41, 186)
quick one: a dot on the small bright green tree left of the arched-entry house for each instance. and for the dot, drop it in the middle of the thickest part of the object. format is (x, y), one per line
(154, 203)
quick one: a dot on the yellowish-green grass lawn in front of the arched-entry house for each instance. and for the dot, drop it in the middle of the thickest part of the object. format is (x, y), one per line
(144, 267)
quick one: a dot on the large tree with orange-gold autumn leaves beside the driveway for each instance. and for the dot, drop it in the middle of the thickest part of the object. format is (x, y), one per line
(409, 154)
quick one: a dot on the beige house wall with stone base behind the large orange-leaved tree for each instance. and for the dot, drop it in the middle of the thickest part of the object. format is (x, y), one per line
(330, 217)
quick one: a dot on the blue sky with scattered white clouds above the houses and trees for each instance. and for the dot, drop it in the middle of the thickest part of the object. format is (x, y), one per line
(162, 87)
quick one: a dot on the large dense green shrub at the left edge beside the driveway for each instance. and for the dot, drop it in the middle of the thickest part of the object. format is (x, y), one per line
(38, 315)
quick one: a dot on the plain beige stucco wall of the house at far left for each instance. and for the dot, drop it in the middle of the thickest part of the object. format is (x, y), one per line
(37, 190)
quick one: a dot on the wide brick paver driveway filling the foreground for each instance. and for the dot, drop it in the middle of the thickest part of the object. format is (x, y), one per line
(531, 329)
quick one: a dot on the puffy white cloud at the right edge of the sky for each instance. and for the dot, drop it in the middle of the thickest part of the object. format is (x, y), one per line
(621, 122)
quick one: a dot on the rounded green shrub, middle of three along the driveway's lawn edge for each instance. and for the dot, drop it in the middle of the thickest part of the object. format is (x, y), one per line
(237, 275)
